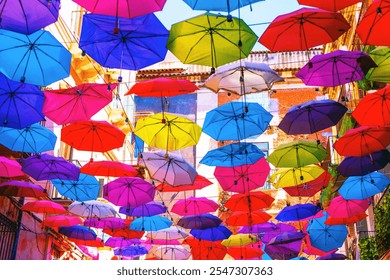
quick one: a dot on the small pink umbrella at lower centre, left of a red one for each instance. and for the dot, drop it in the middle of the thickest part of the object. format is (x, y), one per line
(194, 206)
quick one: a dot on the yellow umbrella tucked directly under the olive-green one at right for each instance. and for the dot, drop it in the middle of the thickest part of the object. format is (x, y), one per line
(289, 177)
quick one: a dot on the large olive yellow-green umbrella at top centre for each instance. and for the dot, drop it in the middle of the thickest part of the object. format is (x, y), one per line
(211, 40)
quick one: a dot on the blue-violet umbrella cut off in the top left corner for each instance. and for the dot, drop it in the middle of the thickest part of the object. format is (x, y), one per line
(27, 16)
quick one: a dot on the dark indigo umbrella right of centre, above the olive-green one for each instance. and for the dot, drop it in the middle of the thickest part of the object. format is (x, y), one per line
(312, 116)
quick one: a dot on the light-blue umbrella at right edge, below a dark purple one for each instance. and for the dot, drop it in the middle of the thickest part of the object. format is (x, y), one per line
(362, 187)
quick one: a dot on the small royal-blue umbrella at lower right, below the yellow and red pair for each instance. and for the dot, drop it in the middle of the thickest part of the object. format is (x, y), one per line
(297, 212)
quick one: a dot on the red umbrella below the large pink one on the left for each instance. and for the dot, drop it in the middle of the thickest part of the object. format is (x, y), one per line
(95, 136)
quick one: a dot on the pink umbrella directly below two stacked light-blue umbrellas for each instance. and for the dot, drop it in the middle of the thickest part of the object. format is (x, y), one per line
(244, 178)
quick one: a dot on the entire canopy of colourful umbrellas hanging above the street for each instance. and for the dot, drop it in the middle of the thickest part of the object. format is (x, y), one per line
(130, 36)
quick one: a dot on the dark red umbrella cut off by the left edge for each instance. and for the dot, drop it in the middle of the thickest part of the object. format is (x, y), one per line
(21, 189)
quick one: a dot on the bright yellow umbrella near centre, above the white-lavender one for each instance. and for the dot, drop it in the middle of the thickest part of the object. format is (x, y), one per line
(168, 131)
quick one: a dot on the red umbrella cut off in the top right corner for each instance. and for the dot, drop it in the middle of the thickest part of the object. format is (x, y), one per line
(374, 24)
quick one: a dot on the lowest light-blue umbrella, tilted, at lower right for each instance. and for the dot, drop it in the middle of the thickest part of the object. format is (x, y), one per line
(326, 237)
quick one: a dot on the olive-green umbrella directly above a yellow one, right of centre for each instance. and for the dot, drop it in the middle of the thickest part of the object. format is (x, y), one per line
(297, 154)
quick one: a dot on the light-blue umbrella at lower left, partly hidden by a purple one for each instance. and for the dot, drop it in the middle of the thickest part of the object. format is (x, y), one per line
(85, 188)
